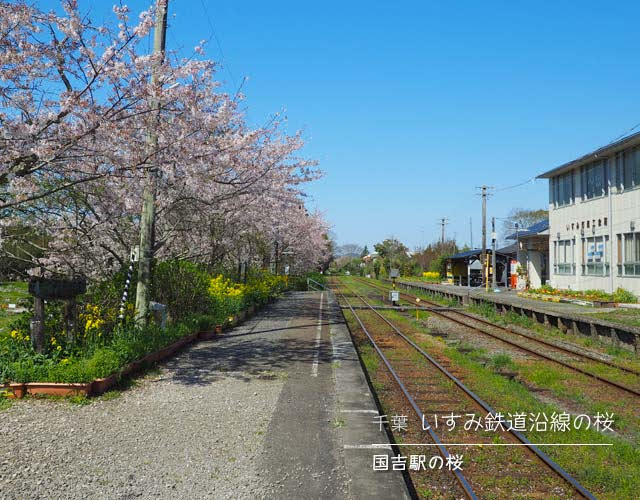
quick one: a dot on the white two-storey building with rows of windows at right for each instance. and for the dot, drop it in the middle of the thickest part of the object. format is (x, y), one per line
(594, 219)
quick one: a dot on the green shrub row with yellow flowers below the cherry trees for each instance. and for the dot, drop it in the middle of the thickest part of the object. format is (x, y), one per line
(196, 301)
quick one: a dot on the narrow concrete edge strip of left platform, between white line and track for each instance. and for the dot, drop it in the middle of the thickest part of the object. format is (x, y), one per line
(356, 407)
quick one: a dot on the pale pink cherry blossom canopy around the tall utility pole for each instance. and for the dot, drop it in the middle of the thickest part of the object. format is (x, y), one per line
(76, 107)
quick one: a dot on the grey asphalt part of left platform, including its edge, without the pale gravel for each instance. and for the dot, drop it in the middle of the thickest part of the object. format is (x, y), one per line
(319, 440)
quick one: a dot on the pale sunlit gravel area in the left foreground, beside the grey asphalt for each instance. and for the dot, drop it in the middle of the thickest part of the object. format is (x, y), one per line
(160, 440)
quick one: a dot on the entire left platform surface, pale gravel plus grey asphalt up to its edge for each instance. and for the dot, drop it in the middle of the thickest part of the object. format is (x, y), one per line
(276, 408)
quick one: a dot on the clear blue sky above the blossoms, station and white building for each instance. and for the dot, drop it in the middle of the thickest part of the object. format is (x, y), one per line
(408, 106)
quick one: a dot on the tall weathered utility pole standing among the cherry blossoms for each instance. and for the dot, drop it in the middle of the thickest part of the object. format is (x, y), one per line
(147, 217)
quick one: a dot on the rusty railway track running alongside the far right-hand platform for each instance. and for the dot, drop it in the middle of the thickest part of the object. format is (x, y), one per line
(481, 326)
